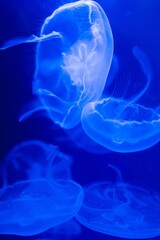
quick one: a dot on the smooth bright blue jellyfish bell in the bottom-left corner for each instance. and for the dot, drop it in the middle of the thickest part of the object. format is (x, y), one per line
(31, 207)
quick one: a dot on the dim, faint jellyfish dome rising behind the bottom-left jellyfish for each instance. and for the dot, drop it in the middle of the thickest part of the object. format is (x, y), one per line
(32, 159)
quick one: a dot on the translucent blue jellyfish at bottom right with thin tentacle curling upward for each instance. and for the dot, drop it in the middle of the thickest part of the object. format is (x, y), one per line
(121, 210)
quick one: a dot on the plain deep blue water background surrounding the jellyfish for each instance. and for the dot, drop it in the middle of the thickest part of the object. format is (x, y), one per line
(133, 23)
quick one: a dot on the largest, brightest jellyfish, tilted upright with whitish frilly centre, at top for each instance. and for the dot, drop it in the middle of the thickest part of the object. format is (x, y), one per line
(73, 58)
